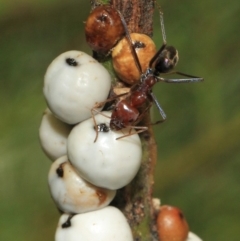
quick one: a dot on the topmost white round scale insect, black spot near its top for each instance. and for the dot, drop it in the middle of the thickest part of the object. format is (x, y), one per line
(73, 84)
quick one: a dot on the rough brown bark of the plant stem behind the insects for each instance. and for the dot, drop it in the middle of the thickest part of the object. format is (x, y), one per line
(135, 200)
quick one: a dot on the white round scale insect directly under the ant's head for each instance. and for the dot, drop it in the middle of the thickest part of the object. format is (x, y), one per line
(108, 162)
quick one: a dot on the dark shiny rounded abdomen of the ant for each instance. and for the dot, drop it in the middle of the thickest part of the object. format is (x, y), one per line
(166, 60)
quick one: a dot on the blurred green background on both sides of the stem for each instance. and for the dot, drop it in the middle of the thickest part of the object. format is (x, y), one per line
(198, 147)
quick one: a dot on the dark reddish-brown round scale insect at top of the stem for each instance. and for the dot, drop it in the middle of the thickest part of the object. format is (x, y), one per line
(103, 28)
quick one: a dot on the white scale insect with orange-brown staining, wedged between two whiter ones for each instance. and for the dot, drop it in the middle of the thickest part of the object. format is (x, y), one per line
(71, 193)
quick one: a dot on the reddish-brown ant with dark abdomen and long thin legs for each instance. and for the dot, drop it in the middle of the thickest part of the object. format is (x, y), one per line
(128, 112)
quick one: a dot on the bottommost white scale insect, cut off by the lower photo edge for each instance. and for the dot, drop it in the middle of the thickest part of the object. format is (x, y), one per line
(106, 224)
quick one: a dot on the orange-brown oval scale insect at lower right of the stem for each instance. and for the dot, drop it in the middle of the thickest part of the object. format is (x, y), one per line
(171, 224)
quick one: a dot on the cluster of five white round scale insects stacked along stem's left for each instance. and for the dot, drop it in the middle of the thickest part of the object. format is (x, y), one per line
(85, 175)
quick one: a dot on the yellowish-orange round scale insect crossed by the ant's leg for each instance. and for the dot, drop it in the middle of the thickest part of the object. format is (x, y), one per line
(123, 60)
